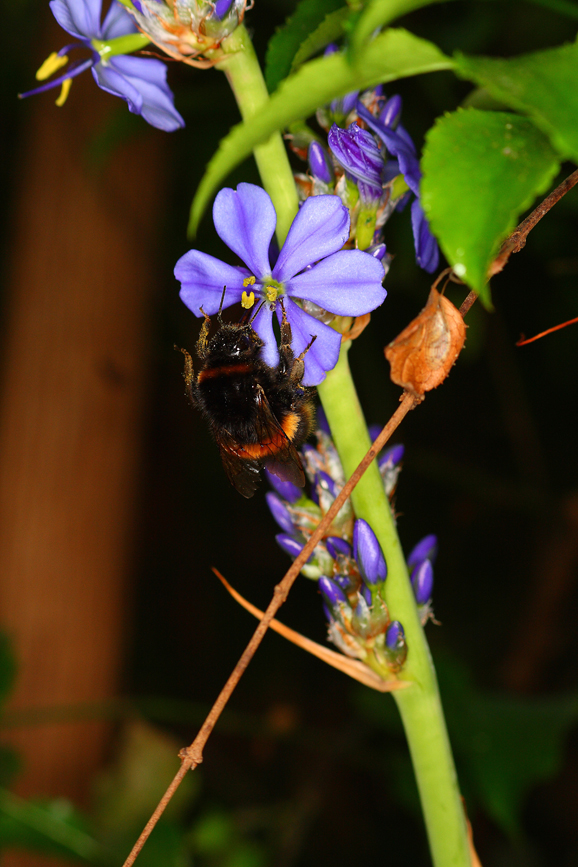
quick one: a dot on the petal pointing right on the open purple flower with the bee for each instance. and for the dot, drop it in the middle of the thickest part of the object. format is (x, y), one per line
(347, 283)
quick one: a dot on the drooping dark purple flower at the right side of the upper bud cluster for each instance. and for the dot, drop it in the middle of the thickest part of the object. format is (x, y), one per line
(399, 144)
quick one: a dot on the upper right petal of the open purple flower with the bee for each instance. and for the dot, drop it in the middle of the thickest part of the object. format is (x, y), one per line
(320, 228)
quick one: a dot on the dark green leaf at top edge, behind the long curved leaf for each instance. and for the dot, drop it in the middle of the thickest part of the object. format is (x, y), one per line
(285, 42)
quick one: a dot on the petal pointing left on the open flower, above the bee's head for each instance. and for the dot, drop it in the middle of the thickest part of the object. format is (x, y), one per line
(203, 278)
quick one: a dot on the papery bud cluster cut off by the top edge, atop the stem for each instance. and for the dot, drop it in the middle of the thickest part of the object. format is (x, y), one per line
(188, 29)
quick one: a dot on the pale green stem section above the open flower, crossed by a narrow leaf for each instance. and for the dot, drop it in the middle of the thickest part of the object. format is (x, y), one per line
(243, 72)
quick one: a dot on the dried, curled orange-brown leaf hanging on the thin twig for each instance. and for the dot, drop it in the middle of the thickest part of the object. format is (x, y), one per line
(422, 355)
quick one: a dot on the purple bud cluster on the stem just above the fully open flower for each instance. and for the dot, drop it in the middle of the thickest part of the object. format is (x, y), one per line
(371, 163)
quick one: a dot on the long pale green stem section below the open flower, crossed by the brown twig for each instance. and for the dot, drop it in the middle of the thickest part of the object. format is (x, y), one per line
(420, 706)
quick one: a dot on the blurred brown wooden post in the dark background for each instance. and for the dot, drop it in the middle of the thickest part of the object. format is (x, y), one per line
(74, 384)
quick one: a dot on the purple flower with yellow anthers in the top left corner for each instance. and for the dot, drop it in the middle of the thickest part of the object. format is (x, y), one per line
(142, 82)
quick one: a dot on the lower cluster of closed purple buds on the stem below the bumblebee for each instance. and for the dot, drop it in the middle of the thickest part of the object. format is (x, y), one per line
(348, 563)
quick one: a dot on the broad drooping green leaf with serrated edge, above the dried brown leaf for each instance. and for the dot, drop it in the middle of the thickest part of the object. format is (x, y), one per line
(481, 169)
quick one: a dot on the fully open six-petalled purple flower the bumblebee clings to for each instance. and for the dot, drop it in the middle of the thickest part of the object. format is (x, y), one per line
(311, 266)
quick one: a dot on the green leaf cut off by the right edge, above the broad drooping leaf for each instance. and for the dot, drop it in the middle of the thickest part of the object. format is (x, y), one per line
(541, 85)
